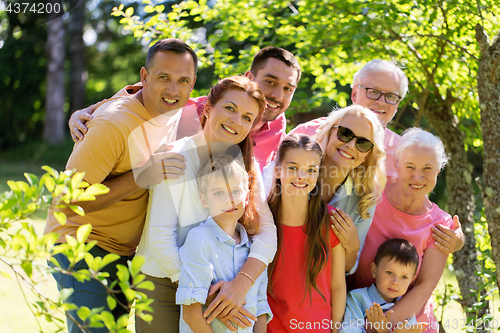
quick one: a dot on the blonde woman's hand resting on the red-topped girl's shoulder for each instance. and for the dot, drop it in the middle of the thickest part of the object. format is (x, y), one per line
(347, 233)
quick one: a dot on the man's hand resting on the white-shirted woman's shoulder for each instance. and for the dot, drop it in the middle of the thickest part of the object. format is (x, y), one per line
(163, 164)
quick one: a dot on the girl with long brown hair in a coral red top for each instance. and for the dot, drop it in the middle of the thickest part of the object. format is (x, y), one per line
(307, 289)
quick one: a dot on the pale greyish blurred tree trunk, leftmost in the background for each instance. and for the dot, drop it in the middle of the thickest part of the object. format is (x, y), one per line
(55, 123)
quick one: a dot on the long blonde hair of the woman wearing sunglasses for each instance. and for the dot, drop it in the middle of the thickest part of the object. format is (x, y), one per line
(370, 175)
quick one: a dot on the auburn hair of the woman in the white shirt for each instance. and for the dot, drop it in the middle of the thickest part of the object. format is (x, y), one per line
(242, 83)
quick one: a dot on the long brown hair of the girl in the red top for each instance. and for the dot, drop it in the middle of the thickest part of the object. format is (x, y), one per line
(317, 224)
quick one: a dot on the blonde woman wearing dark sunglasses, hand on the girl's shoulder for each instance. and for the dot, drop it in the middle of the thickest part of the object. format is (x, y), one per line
(353, 173)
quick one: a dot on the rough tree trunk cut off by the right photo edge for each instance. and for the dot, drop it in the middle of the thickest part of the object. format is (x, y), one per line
(488, 86)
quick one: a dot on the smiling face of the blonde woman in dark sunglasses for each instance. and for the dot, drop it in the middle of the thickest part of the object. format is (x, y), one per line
(344, 154)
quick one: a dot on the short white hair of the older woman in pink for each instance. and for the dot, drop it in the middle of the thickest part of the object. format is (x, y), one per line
(415, 136)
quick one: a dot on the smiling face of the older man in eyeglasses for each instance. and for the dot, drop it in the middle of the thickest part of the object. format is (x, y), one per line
(386, 82)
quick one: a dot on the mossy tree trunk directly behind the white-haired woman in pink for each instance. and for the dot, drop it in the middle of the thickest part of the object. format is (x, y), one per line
(439, 113)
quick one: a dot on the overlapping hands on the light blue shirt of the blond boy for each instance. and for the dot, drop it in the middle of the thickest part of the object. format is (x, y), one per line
(228, 305)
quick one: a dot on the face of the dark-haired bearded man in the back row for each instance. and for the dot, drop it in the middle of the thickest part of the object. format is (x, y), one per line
(277, 81)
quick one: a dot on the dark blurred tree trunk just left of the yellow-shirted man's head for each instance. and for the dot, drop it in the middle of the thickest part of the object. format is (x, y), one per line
(76, 55)
